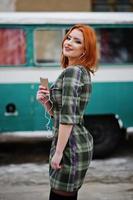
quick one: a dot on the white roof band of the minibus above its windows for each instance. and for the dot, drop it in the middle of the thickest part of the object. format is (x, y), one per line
(66, 17)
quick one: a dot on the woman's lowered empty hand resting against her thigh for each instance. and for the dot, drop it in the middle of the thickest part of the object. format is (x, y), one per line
(55, 161)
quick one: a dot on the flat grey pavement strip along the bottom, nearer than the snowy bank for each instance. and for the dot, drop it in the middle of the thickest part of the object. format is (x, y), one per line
(93, 191)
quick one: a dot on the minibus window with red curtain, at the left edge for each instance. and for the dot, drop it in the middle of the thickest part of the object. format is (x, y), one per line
(12, 47)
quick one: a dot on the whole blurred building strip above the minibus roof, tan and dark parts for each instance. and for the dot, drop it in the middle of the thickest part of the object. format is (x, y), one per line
(66, 5)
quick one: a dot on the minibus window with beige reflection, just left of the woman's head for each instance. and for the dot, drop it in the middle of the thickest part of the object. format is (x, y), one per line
(48, 46)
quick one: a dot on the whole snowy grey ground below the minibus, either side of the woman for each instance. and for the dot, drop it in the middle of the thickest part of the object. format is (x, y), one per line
(106, 179)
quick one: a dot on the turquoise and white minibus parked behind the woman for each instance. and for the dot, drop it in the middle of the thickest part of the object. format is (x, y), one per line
(30, 47)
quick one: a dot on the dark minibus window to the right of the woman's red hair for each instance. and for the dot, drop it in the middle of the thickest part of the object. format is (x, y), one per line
(116, 45)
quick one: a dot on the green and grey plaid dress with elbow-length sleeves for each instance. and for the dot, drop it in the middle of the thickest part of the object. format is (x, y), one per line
(69, 95)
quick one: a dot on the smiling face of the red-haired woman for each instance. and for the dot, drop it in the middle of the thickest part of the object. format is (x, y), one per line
(73, 46)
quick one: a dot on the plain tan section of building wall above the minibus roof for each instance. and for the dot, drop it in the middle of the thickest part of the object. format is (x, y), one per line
(53, 5)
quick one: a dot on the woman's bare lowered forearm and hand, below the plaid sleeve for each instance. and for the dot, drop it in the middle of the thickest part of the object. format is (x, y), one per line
(63, 136)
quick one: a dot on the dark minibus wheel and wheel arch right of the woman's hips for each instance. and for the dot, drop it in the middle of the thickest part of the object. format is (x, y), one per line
(106, 133)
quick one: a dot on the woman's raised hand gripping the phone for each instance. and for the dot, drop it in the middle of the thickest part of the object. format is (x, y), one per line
(42, 94)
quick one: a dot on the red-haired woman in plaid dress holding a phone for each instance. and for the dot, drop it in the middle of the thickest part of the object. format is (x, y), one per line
(72, 144)
